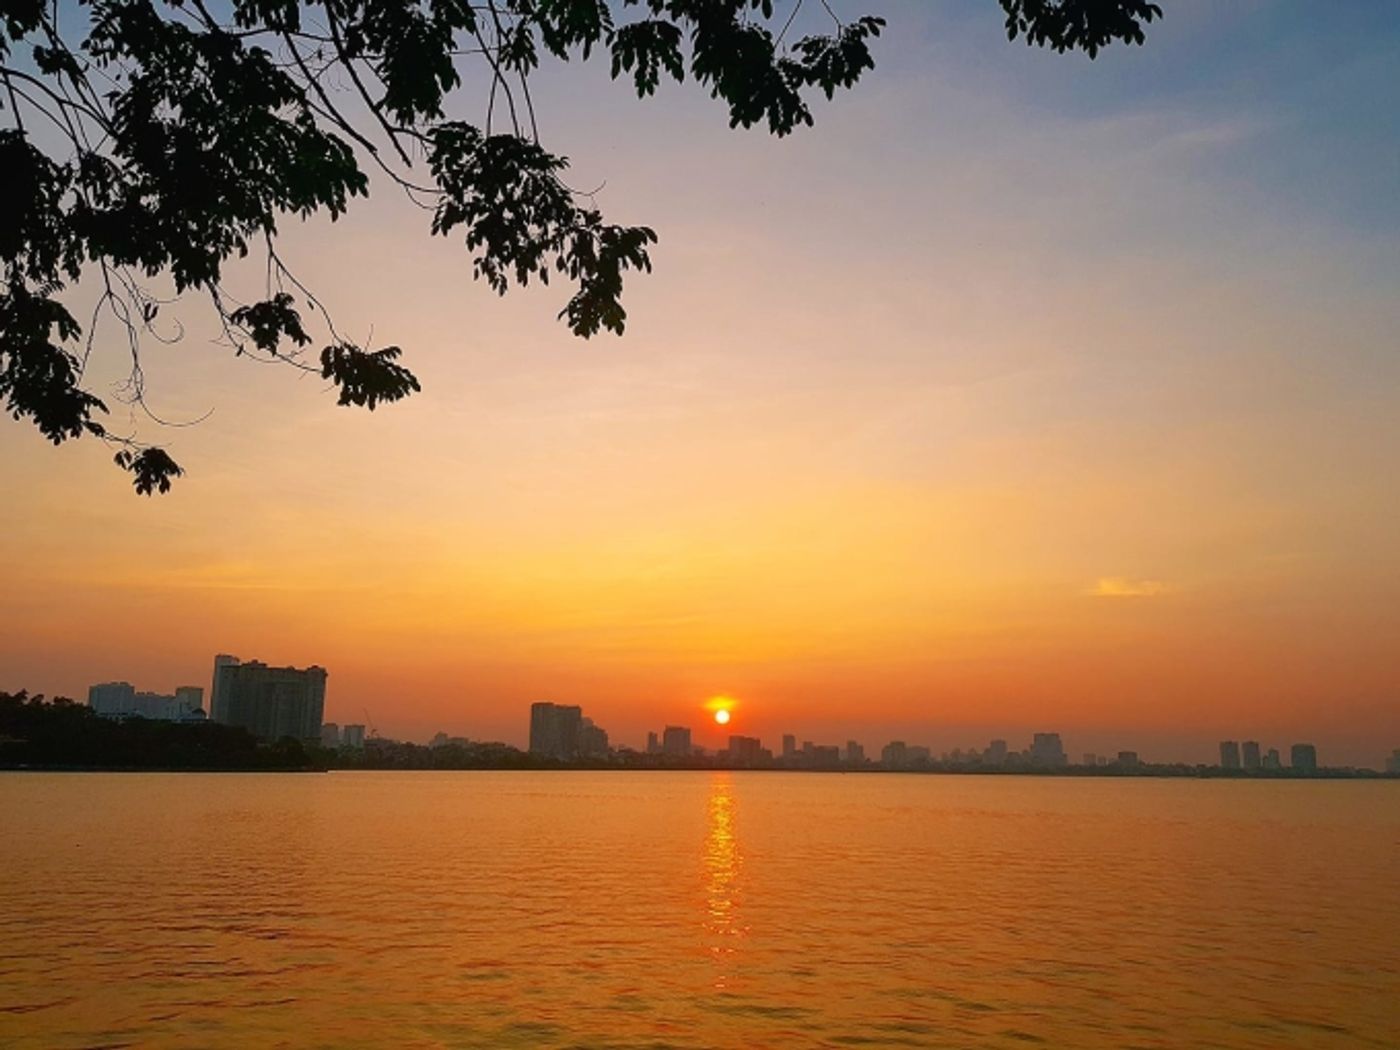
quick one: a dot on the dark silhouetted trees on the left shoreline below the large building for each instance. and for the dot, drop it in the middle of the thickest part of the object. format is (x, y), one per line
(62, 734)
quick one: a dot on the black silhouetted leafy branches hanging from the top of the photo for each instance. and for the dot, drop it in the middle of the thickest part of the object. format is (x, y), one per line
(166, 138)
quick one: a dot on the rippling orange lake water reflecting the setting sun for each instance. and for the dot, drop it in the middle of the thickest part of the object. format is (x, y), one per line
(696, 909)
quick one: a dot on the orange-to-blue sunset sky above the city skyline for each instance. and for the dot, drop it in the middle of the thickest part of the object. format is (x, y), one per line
(1023, 393)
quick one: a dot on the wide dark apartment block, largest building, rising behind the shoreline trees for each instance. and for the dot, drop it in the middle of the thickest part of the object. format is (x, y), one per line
(269, 702)
